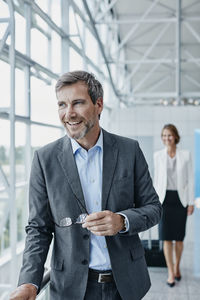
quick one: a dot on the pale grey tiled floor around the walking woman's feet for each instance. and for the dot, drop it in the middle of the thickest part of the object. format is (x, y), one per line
(187, 289)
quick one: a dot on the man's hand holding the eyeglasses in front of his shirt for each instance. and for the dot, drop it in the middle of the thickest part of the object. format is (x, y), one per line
(104, 223)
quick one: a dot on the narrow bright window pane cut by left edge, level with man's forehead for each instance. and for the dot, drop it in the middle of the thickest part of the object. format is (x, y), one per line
(4, 84)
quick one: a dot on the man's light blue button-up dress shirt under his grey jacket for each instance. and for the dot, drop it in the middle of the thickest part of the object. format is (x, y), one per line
(90, 164)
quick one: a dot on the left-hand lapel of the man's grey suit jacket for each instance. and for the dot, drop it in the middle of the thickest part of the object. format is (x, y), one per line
(67, 162)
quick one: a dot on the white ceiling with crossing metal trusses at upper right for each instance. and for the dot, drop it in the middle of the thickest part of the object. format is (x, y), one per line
(149, 36)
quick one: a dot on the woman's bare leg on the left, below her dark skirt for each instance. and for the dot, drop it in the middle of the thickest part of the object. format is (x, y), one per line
(168, 252)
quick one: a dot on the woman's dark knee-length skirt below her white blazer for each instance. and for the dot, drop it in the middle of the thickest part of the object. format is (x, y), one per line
(173, 222)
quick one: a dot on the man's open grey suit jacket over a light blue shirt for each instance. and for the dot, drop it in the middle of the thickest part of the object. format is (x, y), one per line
(55, 192)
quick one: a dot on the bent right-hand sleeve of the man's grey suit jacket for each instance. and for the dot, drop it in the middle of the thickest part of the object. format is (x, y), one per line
(147, 209)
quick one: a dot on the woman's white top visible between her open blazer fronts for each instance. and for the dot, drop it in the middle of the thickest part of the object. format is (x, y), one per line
(171, 173)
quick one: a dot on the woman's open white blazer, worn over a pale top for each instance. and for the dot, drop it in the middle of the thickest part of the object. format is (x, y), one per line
(185, 181)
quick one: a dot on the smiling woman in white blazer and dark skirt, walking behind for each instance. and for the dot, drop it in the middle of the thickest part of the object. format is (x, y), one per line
(173, 181)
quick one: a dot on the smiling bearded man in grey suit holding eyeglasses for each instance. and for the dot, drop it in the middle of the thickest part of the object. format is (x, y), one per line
(94, 173)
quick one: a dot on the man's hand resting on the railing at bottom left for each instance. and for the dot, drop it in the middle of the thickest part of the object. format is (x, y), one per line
(24, 292)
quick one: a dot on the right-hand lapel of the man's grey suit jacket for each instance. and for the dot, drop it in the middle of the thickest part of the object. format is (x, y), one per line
(110, 153)
